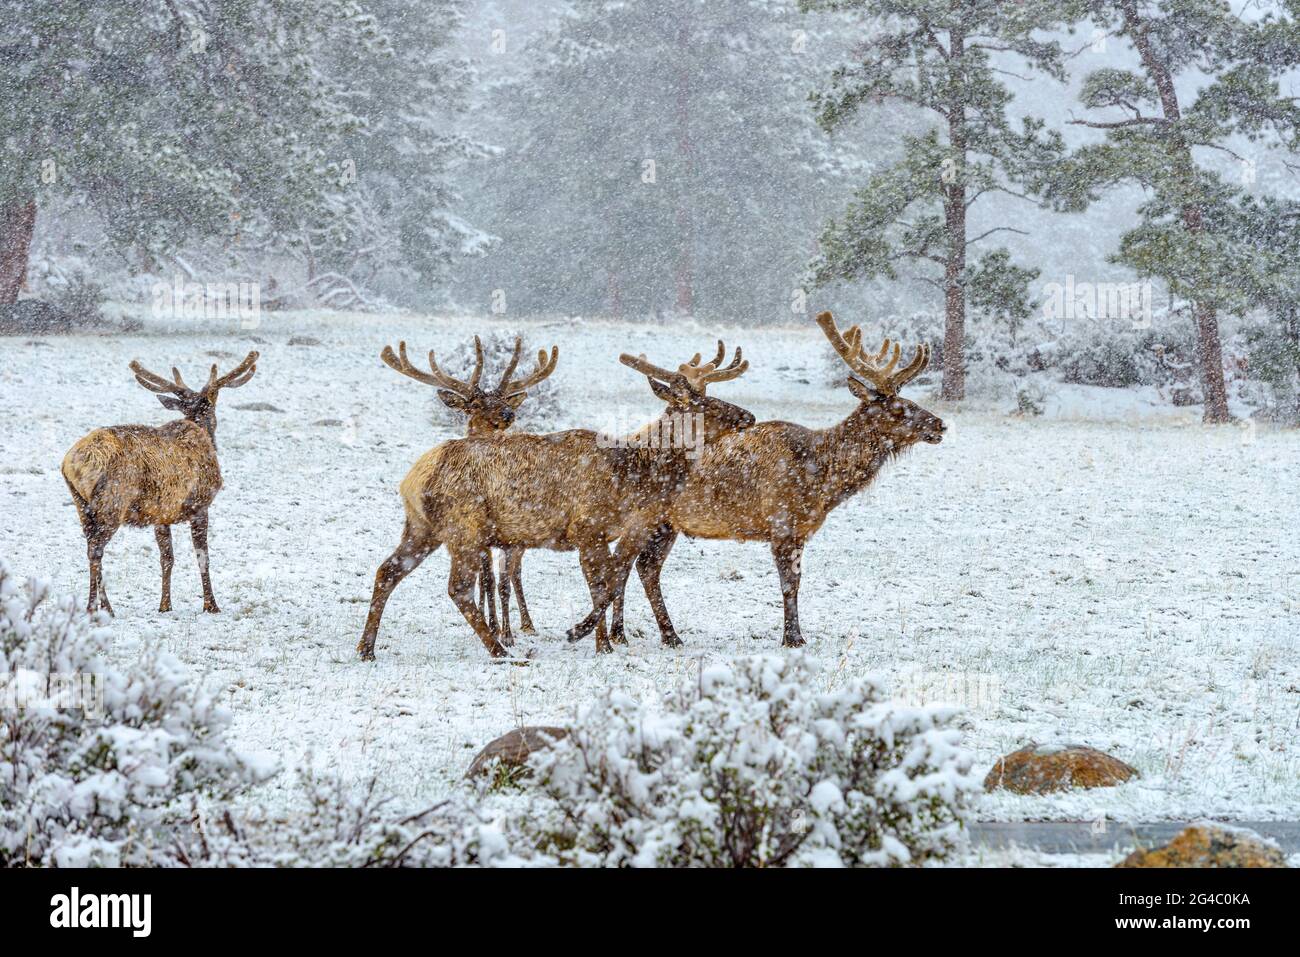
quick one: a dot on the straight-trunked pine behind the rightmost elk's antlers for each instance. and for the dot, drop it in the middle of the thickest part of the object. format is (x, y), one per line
(937, 57)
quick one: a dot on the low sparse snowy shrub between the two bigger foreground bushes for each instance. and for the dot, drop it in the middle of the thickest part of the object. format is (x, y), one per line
(332, 824)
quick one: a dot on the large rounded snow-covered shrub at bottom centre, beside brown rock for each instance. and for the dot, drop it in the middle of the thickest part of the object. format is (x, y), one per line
(759, 765)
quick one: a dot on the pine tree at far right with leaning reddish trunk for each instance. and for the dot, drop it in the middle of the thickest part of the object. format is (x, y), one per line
(1190, 232)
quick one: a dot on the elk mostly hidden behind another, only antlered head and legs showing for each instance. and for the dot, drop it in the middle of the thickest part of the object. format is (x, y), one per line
(489, 412)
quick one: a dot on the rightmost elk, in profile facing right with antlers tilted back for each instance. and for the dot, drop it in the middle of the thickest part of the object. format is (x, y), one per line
(778, 482)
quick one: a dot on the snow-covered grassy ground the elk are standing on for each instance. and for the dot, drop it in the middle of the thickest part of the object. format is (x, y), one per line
(1113, 574)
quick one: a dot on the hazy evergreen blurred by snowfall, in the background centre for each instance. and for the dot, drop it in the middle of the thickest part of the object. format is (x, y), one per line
(657, 163)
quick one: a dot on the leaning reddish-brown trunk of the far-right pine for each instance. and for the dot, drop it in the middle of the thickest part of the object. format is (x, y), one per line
(1210, 348)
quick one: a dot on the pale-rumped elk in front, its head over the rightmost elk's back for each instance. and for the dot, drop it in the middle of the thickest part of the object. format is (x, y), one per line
(562, 491)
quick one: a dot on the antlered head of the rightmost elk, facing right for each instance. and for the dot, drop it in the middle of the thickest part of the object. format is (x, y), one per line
(877, 383)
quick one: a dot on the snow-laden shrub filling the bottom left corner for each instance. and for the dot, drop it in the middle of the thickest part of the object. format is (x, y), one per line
(98, 767)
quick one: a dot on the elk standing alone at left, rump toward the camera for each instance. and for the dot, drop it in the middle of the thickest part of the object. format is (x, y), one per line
(141, 475)
